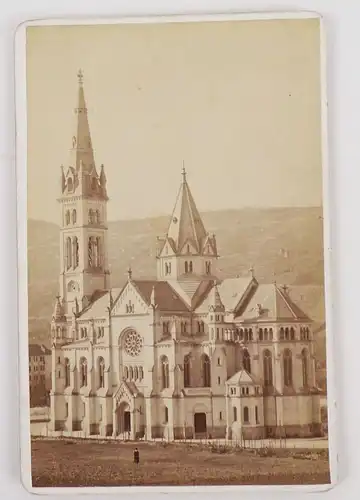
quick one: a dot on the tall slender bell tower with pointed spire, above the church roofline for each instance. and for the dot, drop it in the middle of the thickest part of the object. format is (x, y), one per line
(83, 233)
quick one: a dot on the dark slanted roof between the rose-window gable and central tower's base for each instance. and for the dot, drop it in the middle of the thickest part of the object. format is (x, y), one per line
(166, 297)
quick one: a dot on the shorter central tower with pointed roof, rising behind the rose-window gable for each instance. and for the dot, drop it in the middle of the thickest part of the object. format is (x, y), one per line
(187, 251)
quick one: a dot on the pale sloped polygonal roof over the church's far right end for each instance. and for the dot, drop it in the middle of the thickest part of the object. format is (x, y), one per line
(272, 303)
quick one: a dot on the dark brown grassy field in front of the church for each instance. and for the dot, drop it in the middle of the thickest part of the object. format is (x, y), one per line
(88, 463)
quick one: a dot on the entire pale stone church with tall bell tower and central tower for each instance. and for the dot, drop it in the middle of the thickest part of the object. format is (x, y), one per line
(186, 355)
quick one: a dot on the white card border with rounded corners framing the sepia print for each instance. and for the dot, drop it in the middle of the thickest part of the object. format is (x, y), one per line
(21, 173)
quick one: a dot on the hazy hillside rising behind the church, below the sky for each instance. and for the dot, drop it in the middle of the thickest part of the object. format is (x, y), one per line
(285, 244)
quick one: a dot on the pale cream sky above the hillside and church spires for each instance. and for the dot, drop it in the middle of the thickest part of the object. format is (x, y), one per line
(238, 102)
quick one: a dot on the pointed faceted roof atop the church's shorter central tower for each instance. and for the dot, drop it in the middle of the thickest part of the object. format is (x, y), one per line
(186, 225)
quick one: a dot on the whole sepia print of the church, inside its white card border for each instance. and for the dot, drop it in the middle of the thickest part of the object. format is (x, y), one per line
(177, 331)
